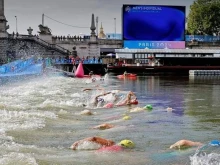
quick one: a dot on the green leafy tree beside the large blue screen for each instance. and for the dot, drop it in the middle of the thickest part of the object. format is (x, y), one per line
(204, 17)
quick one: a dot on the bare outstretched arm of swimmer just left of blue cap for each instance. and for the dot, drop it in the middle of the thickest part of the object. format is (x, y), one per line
(184, 144)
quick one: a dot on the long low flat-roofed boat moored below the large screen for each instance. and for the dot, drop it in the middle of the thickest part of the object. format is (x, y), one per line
(162, 61)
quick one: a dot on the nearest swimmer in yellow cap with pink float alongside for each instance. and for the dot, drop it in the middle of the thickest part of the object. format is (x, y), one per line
(101, 144)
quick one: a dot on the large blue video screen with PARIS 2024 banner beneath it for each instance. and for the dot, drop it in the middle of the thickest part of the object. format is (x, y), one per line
(153, 26)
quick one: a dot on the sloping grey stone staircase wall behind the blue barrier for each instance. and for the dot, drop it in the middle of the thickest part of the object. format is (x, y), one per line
(22, 46)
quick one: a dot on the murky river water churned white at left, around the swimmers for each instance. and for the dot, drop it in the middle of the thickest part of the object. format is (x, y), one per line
(40, 119)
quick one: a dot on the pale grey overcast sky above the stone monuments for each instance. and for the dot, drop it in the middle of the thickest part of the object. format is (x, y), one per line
(72, 12)
